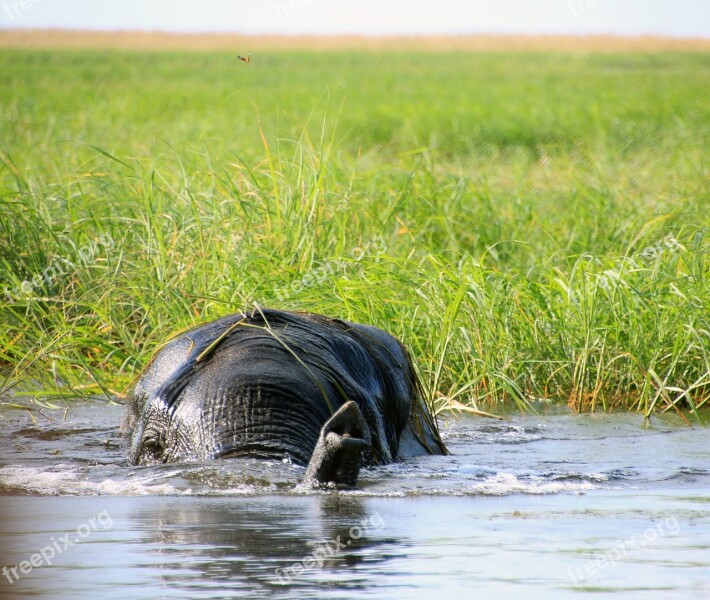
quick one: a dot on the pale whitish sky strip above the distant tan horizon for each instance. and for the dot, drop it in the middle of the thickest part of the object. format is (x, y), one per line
(681, 18)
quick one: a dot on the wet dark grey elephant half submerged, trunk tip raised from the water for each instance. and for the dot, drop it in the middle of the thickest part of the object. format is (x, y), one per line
(329, 394)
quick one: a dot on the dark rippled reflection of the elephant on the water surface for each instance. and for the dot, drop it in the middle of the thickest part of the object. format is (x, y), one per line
(266, 543)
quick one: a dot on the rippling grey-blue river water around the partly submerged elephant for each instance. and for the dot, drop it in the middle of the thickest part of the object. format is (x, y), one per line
(552, 506)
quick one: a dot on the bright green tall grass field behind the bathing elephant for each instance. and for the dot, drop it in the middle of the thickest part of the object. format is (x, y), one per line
(531, 226)
